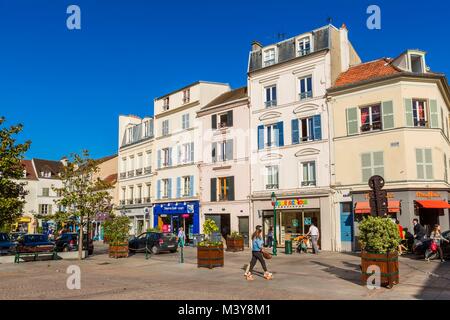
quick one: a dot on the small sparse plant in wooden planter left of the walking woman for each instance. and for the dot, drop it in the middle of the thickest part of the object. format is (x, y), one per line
(210, 252)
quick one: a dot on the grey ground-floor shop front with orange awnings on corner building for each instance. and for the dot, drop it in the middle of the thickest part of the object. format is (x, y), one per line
(430, 207)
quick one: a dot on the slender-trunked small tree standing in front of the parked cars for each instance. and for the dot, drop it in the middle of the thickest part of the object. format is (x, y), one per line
(82, 195)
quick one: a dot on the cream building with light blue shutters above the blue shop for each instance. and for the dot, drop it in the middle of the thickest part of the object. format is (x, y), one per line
(178, 152)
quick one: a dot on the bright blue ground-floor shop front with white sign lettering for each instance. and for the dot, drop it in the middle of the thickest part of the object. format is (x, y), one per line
(172, 215)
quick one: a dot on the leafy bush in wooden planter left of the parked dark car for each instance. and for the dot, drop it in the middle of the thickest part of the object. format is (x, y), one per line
(117, 232)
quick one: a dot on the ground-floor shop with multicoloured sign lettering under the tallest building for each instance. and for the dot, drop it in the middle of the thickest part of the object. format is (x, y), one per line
(294, 217)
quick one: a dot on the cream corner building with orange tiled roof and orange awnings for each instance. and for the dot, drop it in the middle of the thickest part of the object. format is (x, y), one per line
(390, 118)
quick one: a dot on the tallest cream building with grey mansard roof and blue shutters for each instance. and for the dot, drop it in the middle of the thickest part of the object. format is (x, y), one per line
(287, 83)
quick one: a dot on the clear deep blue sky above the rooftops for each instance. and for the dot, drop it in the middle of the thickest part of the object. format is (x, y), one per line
(68, 87)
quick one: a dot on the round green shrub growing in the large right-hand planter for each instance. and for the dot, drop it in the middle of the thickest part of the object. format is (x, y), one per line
(378, 235)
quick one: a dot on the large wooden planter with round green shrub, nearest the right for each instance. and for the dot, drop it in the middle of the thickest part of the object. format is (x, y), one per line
(379, 239)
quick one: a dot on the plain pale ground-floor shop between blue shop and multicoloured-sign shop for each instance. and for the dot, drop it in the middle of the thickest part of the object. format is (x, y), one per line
(229, 217)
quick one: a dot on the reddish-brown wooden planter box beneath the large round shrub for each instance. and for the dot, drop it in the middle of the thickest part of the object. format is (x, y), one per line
(388, 264)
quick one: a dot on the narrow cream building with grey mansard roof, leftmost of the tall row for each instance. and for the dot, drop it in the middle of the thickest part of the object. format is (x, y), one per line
(135, 158)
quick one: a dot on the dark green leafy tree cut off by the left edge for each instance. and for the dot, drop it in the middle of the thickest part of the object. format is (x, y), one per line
(12, 193)
